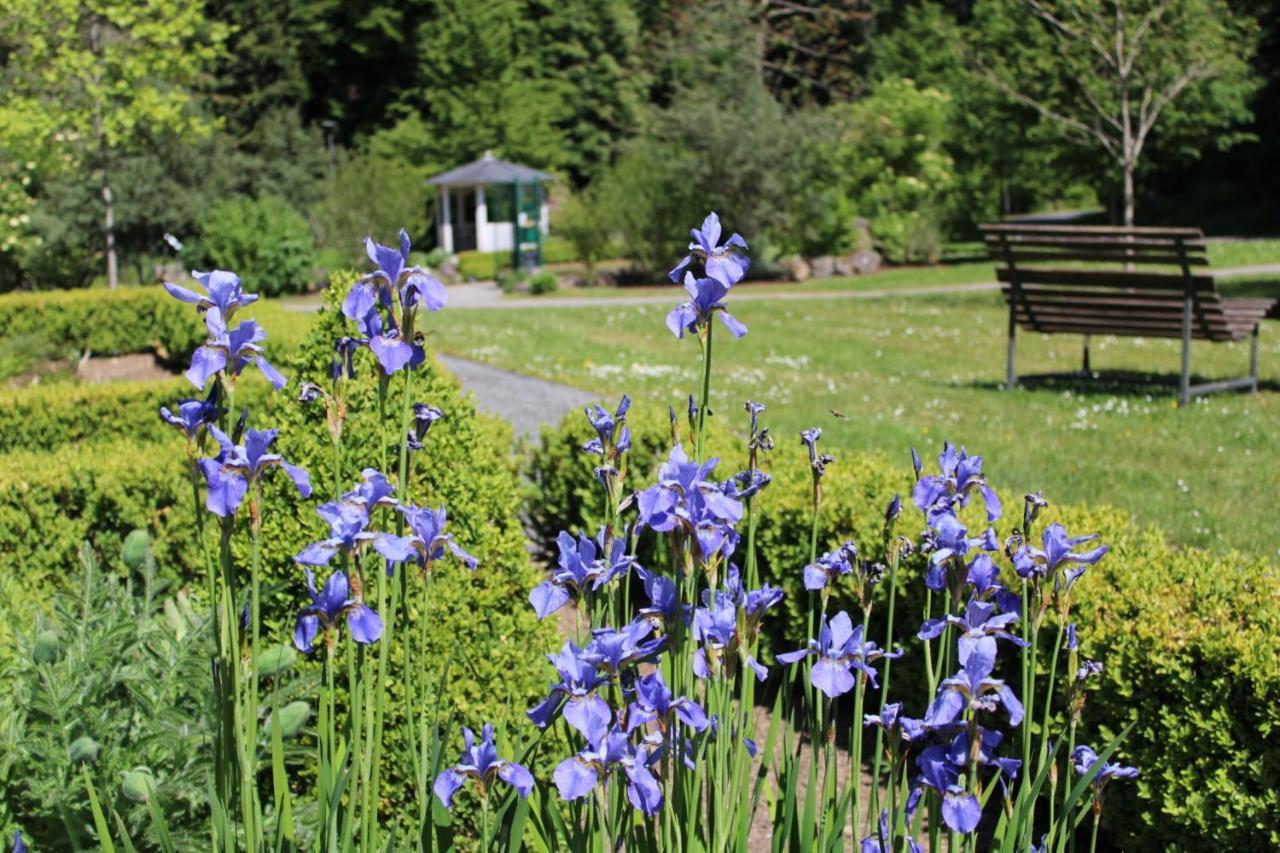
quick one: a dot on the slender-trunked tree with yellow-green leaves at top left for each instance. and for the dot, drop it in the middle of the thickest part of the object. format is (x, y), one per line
(86, 80)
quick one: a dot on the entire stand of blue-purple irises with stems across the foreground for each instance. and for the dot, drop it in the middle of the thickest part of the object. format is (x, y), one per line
(652, 697)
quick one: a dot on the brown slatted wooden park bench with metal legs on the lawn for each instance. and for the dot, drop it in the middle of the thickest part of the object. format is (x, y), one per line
(1132, 282)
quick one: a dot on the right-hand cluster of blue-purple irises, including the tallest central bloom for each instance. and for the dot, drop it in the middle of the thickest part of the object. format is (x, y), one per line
(657, 696)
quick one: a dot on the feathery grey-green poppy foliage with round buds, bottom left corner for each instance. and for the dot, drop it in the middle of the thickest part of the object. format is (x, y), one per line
(108, 682)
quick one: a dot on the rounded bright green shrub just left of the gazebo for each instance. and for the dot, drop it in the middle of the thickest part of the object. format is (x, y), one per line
(266, 241)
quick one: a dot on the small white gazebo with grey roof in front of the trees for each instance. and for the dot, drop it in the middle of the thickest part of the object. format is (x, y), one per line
(484, 204)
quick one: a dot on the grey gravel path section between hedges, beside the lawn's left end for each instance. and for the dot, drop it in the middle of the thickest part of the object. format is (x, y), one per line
(523, 402)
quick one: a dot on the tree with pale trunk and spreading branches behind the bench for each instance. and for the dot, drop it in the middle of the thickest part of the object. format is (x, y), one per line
(1108, 75)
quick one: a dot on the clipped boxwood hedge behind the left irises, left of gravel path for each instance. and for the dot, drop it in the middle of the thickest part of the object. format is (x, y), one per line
(52, 501)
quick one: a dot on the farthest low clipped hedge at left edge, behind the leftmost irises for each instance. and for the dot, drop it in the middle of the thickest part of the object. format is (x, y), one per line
(129, 320)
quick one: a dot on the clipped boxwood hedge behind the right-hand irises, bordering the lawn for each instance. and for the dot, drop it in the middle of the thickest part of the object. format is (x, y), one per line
(1187, 636)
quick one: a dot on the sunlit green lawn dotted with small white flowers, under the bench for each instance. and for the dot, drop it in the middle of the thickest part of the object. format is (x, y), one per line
(917, 371)
